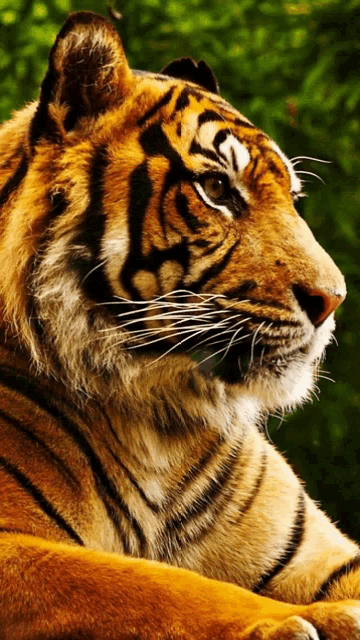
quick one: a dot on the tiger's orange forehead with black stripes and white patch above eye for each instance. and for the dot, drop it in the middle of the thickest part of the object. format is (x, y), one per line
(208, 121)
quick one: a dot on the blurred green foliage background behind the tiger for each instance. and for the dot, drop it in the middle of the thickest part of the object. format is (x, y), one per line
(292, 67)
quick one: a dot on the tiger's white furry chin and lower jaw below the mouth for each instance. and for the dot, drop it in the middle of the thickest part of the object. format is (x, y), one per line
(276, 379)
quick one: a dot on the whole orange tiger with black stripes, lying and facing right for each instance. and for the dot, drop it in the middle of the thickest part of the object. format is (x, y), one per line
(160, 295)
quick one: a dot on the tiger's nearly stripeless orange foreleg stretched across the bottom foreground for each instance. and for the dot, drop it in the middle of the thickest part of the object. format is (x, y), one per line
(52, 591)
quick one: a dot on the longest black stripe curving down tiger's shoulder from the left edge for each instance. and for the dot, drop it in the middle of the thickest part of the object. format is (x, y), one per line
(37, 395)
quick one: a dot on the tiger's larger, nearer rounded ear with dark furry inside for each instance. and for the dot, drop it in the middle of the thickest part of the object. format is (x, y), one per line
(87, 74)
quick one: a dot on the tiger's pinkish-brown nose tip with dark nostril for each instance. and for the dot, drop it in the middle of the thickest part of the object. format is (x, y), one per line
(317, 304)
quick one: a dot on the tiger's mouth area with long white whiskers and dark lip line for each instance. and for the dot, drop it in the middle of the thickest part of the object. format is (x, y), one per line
(221, 337)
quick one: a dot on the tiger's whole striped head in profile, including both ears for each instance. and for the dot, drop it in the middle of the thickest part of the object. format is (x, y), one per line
(156, 228)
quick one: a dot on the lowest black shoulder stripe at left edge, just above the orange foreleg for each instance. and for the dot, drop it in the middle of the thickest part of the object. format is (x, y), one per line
(39, 498)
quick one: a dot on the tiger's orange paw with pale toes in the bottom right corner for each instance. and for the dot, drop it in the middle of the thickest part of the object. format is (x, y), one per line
(325, 621)
